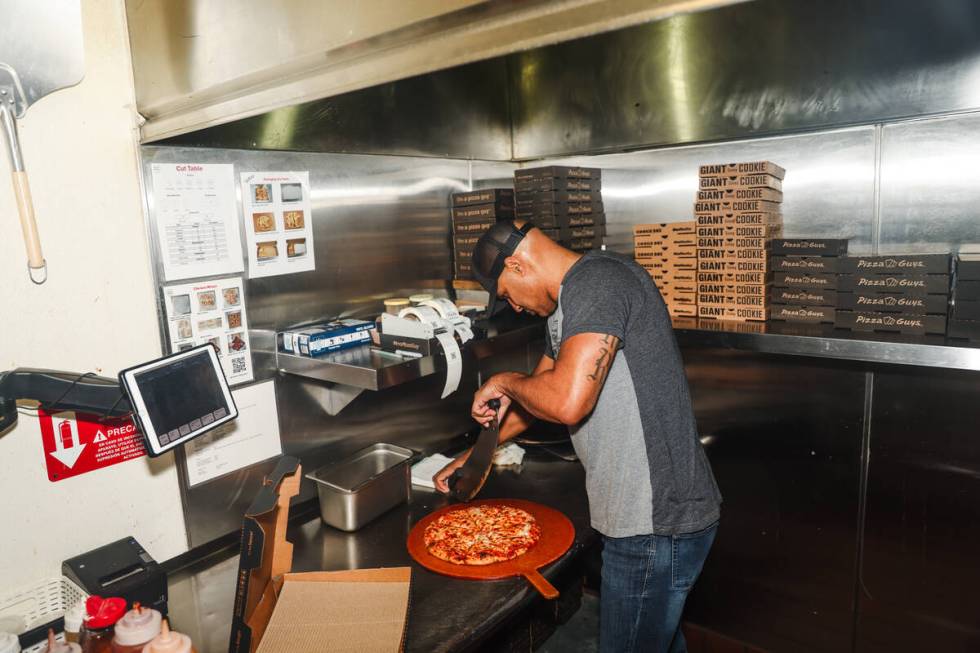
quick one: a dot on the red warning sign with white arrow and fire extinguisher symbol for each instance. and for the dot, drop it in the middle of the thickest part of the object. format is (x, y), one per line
(76, 443)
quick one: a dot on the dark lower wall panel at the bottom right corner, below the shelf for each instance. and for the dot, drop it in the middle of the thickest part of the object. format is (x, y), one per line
(920, 573)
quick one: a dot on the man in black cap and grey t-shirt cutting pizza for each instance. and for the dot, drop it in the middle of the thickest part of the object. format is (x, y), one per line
(612, 372)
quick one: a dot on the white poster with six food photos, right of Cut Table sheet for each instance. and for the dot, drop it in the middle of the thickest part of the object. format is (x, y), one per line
(278, 223)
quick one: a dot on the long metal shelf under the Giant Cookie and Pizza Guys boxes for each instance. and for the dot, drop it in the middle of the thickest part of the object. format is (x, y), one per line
(823, 341)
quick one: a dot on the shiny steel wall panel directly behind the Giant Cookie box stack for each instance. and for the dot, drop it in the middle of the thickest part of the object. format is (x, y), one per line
(828, 190)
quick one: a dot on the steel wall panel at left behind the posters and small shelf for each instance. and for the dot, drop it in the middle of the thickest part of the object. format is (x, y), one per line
(381, 228)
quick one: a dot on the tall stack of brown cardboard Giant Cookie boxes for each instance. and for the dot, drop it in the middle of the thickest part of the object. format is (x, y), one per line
(738, 212)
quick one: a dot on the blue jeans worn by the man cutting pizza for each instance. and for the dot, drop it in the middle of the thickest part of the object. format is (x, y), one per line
(645, 582)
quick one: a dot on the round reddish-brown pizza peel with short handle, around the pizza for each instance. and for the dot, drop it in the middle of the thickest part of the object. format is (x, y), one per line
(557, 535)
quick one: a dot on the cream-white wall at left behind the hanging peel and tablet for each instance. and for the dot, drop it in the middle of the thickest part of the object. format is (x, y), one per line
(95, 313)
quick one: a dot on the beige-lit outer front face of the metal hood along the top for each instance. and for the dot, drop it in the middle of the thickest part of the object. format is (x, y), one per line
(200, 63)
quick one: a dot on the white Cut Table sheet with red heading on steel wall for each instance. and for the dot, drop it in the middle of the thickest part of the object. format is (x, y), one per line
(197, 219)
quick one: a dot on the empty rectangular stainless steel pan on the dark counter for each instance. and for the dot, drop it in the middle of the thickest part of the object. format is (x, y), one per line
(361, 487)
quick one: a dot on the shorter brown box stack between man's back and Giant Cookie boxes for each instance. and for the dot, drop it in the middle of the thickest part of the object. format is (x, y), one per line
(668, 251)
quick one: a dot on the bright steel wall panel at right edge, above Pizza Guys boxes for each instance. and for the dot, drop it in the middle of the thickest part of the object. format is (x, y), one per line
(930, 195)
